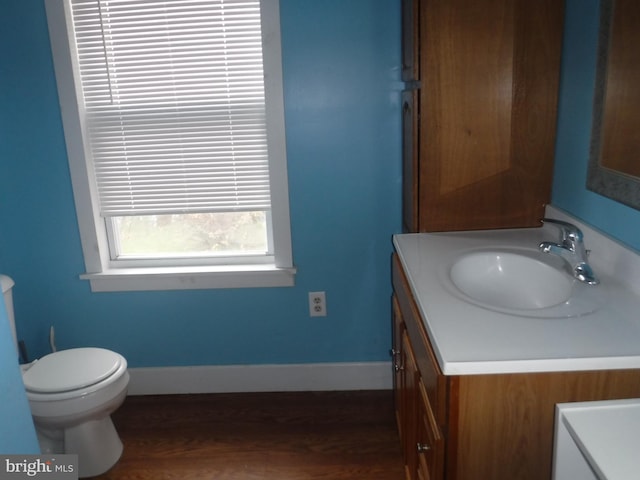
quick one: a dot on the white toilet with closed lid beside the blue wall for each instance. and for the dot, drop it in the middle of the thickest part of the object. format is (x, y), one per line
(72, 394)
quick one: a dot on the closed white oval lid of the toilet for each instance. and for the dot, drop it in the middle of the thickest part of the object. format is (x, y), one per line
(71, 370)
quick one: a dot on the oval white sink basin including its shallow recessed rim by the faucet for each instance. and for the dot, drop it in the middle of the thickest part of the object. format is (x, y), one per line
(521, 282)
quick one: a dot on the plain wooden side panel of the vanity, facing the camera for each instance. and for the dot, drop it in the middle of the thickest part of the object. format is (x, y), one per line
(506, 422)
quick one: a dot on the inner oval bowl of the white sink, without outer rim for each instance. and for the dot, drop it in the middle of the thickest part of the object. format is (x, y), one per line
(510, 280)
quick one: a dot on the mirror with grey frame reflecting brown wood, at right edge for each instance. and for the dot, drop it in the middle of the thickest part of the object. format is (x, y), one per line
(614, 164)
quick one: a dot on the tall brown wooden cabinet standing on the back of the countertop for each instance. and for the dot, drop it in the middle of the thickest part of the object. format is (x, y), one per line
(479, 112)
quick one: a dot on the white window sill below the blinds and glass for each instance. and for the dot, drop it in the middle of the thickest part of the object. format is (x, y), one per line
(190, 278)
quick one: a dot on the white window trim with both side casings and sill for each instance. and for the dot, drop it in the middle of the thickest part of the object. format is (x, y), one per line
(101, 275)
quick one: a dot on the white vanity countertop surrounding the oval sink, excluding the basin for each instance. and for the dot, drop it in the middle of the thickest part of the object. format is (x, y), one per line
(469, 339)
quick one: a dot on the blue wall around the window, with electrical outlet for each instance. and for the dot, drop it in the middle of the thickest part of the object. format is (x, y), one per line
(341, 73)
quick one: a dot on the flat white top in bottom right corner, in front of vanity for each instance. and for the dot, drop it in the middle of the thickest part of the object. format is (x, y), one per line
(607, 434)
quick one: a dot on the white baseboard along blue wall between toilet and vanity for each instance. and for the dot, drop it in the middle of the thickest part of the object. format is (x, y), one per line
(261, 378)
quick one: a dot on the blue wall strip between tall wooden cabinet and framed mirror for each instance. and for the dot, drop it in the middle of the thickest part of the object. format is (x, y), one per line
(574, 131)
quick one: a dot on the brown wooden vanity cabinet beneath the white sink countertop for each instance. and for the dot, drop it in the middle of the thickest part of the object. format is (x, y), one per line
(489, 426)
